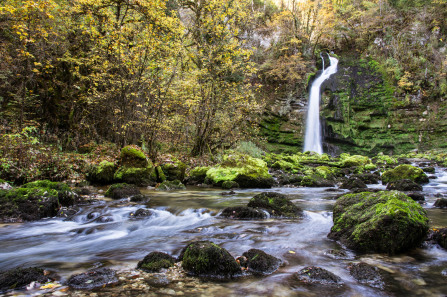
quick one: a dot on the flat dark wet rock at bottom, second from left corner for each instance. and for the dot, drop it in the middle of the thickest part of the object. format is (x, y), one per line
(93, 279)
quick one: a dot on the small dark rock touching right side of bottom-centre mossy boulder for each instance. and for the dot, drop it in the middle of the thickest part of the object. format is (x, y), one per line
(260, 263)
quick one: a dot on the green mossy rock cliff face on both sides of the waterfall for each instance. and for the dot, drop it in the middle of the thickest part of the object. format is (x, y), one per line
(361, 114)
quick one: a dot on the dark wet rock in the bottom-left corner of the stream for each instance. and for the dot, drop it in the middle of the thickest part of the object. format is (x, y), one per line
(19, 278)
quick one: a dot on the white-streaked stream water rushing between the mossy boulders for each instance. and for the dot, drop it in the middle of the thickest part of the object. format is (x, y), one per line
(104, 234)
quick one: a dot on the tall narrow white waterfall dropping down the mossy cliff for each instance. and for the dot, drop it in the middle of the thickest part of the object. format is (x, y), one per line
(312, 140)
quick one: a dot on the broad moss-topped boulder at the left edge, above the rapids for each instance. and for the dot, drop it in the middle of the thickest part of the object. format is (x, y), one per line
(34, 201)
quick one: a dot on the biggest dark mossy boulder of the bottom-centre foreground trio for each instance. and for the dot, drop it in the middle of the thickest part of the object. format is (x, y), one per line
(207, 259)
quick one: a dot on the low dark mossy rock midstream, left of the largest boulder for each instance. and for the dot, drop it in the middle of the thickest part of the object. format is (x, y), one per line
(276, 204)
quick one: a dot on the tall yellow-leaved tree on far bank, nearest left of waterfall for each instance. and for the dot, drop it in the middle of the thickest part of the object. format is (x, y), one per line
(217, 89)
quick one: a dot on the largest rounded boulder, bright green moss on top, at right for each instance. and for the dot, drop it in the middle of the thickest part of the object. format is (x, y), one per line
(384, 222)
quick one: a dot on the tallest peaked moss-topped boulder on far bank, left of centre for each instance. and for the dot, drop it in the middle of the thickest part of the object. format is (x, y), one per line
(135, 167)
